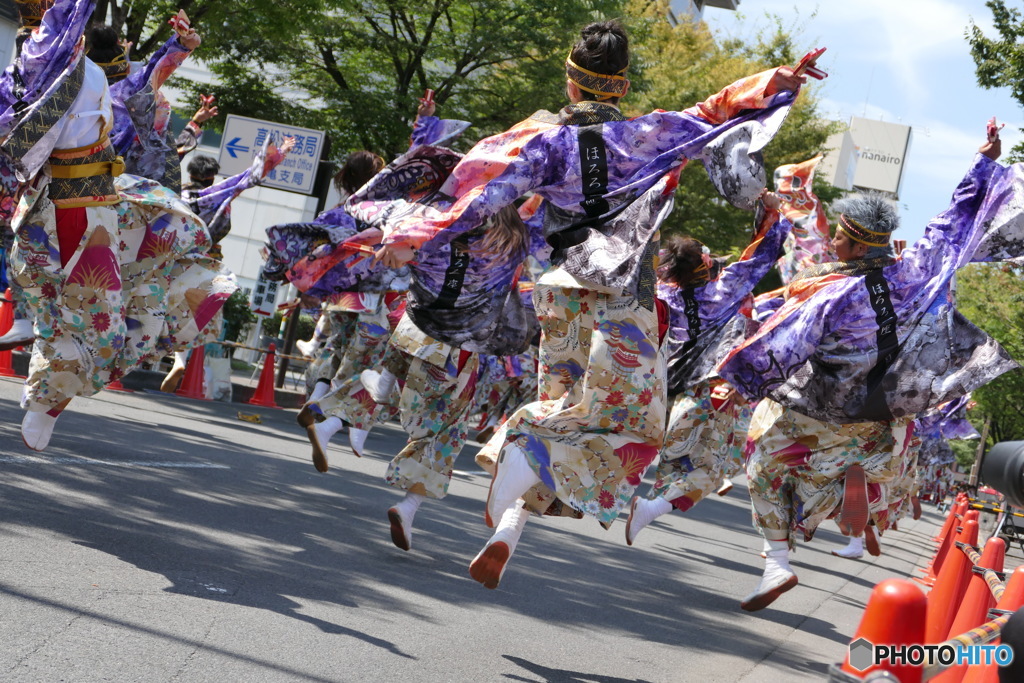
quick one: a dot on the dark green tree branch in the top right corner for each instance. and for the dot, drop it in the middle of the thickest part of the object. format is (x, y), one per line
(1000, 61)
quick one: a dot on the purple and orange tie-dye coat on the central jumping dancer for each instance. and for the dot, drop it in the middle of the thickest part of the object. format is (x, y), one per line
(544, 155)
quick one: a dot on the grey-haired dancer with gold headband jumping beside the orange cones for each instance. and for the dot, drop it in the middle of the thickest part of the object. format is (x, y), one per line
(861, 348)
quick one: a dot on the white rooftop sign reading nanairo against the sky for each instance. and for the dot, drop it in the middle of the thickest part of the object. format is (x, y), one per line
(882, 151)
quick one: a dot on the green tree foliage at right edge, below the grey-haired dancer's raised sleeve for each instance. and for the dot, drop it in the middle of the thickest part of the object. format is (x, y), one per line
(993, 297)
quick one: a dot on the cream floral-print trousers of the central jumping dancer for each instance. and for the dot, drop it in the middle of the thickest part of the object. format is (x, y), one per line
(600, 420)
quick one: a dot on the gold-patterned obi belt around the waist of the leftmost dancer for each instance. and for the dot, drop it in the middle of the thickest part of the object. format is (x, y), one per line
(84, 177)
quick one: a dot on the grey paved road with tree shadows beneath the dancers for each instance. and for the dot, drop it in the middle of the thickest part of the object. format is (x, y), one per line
(161, 539)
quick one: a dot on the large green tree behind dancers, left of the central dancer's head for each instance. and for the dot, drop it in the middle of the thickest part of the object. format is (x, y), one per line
(357, 68)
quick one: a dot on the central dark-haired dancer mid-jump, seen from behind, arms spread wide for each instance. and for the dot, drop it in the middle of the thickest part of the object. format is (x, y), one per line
(609, 184)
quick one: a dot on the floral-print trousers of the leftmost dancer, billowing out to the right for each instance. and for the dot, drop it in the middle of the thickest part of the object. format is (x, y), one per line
(139, 285)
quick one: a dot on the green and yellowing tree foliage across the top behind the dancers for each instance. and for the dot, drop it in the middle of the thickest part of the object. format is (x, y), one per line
(357, 68)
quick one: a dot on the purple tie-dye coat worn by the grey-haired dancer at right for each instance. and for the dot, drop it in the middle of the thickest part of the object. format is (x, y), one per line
(819, 355)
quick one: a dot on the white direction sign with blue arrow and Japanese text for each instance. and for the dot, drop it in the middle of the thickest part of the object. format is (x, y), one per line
(244, 138)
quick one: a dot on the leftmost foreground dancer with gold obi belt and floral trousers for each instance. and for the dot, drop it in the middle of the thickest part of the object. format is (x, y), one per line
(113, 273)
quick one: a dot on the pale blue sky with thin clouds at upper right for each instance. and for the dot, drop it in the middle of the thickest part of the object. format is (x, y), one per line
(901, 61)
